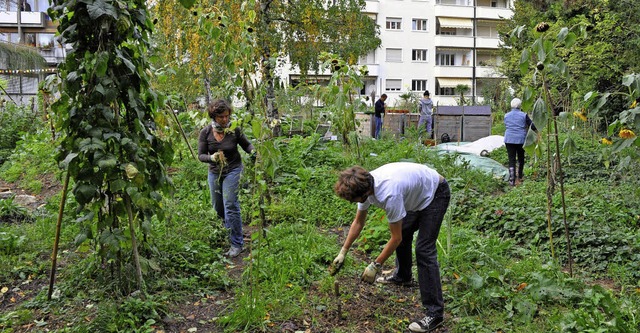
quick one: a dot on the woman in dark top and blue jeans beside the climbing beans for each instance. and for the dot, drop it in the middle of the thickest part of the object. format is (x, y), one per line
(218, 147)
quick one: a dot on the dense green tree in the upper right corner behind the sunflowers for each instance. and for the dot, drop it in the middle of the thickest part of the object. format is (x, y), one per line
(597, 63)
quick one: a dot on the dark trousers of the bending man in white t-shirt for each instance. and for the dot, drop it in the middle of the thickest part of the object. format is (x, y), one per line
(427, 222)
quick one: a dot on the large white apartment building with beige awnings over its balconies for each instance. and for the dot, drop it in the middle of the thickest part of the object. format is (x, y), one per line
(432, 45)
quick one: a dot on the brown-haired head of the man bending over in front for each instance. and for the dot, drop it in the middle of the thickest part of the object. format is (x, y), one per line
(354, 184)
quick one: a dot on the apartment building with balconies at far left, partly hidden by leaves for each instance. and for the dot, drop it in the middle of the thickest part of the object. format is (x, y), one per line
(26, 22)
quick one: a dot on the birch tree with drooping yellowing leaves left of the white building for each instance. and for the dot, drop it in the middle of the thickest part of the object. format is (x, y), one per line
(245, 38)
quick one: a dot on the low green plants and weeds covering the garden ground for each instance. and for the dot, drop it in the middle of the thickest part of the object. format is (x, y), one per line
(498, 271)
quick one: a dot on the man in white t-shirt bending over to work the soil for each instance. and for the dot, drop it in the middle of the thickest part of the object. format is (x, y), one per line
(415, 198)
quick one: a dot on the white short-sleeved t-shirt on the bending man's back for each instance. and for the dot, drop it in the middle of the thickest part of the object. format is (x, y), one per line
(402, 187)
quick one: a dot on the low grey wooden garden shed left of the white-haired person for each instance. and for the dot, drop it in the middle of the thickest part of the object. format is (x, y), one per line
(462, 123)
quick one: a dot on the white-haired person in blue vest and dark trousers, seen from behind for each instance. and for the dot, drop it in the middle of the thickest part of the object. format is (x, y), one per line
(517, 125)
